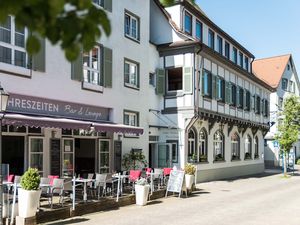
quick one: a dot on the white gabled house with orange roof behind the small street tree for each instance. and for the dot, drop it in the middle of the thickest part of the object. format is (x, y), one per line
(280, 73)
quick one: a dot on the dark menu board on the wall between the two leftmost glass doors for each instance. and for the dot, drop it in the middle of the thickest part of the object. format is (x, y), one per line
(55, 156)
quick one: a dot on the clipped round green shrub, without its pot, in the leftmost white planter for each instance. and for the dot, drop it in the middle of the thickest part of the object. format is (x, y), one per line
(31, 180)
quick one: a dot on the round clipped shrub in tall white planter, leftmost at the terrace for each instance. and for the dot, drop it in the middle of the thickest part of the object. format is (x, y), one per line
(29, 193)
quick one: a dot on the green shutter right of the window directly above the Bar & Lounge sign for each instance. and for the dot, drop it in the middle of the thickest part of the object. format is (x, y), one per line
(107, 67)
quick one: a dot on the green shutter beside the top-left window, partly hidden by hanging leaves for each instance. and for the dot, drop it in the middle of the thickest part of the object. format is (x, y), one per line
(38, 59)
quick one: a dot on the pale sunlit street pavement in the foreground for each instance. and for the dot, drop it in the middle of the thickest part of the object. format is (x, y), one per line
(262, 200)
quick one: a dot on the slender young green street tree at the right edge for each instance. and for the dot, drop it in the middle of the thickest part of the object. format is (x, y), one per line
(288, 130)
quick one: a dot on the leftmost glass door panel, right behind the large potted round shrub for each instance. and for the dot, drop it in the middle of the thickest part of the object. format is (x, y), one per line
(36, 152)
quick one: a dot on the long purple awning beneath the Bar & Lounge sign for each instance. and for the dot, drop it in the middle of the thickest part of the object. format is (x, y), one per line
(36, 121)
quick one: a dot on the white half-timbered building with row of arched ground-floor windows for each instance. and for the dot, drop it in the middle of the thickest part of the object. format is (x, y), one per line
(218, 109)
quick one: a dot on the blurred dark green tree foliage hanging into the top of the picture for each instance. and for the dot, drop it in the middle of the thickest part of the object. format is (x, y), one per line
(73, 24)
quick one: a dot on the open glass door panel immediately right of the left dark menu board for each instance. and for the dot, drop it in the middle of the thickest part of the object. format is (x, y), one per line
(68, 157)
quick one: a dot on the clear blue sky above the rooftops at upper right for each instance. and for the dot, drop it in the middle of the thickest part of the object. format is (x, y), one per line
(265, 27)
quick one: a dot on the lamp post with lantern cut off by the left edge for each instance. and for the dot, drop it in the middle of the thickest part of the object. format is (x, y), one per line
(3, 103)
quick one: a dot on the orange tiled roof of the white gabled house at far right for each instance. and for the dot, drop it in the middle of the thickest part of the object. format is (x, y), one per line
(270, 70)
